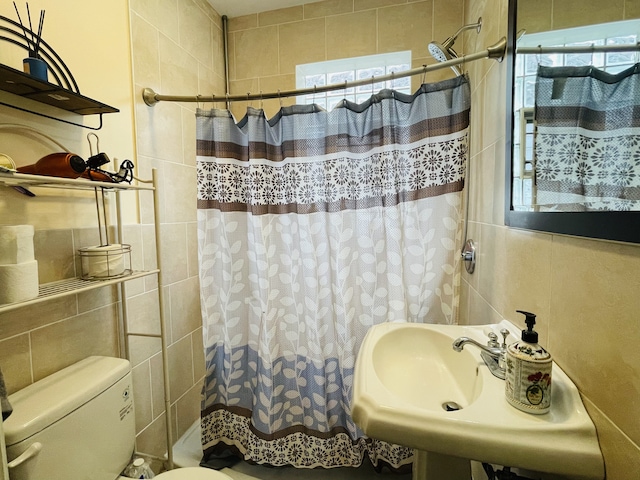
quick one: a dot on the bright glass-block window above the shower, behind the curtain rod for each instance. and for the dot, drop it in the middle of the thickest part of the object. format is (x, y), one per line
(344, 70)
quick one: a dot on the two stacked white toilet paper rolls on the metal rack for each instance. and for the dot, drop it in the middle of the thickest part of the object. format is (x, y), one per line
(18, 267)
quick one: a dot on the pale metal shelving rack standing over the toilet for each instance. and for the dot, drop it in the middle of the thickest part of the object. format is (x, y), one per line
(74, 286)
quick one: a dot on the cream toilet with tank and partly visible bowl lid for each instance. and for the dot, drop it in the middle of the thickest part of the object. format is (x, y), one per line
(79, 424)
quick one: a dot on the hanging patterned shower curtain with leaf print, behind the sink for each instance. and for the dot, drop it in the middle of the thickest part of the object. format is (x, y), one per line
(312, 227)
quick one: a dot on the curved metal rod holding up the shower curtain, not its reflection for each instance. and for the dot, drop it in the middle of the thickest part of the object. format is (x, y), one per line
(495, 51)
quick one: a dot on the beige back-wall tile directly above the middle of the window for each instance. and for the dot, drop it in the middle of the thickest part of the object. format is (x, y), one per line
(351, 35)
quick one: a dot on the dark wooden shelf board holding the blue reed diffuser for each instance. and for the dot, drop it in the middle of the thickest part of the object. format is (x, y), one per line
(19, 83)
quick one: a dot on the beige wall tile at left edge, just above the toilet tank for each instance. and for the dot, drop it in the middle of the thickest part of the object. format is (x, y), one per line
(15, 361)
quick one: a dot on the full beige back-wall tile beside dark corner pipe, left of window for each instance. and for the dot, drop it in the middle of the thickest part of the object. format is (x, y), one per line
(256, 52)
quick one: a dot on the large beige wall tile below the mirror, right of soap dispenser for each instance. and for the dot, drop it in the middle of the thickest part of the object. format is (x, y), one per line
(598, 294)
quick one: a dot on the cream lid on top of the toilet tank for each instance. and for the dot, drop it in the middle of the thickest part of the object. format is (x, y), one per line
(44, 402)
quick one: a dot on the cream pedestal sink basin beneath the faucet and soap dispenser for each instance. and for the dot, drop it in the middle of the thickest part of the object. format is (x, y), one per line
(405, 372)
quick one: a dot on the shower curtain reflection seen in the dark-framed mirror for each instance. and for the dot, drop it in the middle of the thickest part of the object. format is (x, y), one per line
(587, 142)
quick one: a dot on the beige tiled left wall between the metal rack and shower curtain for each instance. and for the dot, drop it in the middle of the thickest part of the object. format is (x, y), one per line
(177, 49)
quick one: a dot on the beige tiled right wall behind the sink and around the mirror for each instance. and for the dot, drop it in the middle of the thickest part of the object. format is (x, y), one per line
(585, 292)
